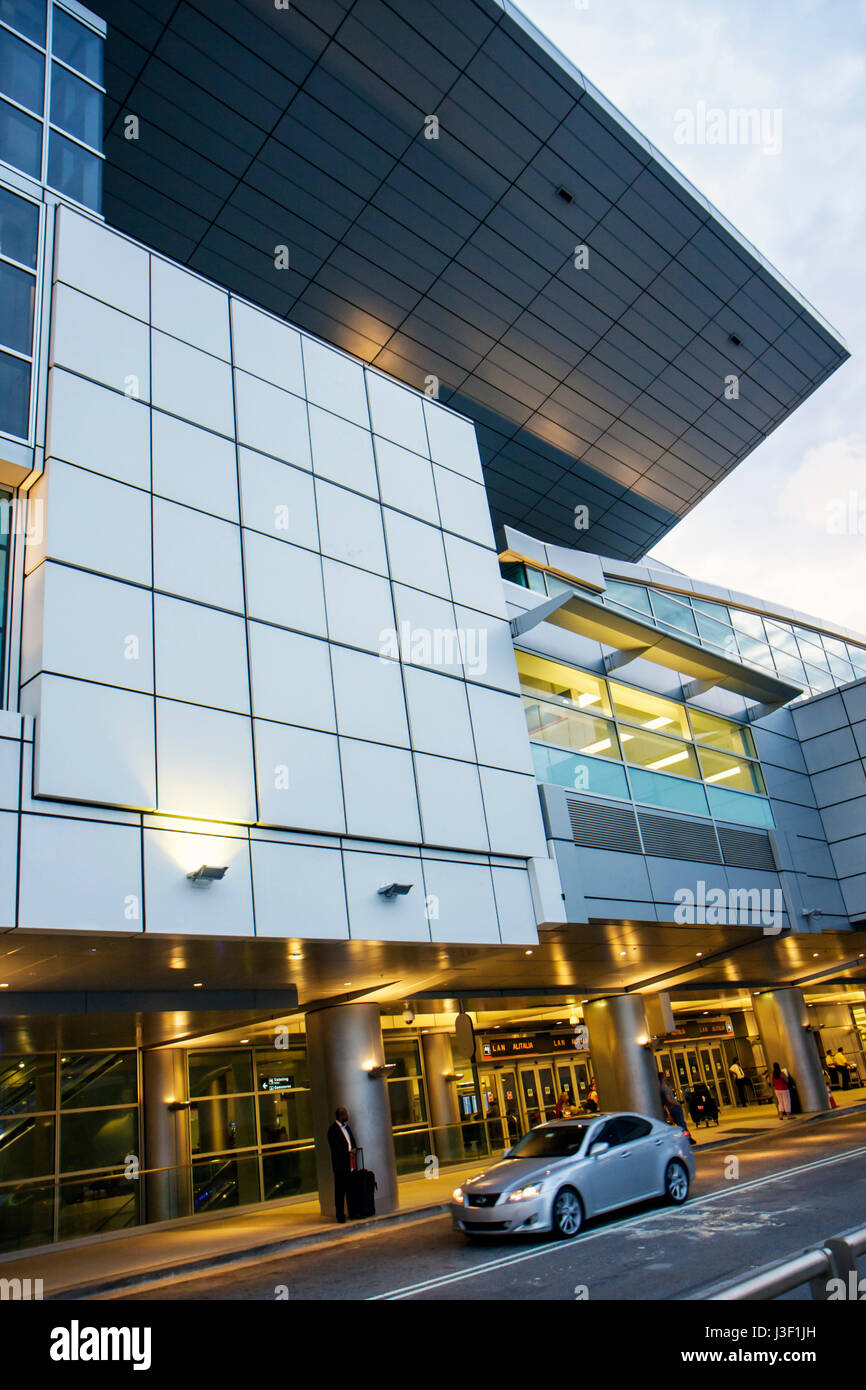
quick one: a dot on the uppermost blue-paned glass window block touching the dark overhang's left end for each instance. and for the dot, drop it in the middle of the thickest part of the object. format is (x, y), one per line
(52, 98)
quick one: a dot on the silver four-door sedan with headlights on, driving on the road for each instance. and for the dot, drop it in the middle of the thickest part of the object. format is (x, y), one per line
(565, 1172)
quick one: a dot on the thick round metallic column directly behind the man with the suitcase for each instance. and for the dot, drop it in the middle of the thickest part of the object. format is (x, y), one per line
(344, 1042)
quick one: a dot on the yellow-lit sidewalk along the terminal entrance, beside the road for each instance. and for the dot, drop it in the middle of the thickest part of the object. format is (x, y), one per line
(176, 1250)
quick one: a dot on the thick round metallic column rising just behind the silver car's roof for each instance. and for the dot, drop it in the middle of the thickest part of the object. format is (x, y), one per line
(622, 1063)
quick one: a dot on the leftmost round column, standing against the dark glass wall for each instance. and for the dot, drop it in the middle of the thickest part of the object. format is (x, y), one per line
(168, 1192)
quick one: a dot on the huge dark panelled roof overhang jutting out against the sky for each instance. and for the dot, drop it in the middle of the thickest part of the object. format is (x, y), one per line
(305, 126)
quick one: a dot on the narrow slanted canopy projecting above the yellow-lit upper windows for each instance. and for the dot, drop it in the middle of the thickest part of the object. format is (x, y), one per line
(632, 639)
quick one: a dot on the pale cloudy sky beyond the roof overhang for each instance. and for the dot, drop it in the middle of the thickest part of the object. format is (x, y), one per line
(790, 523)
